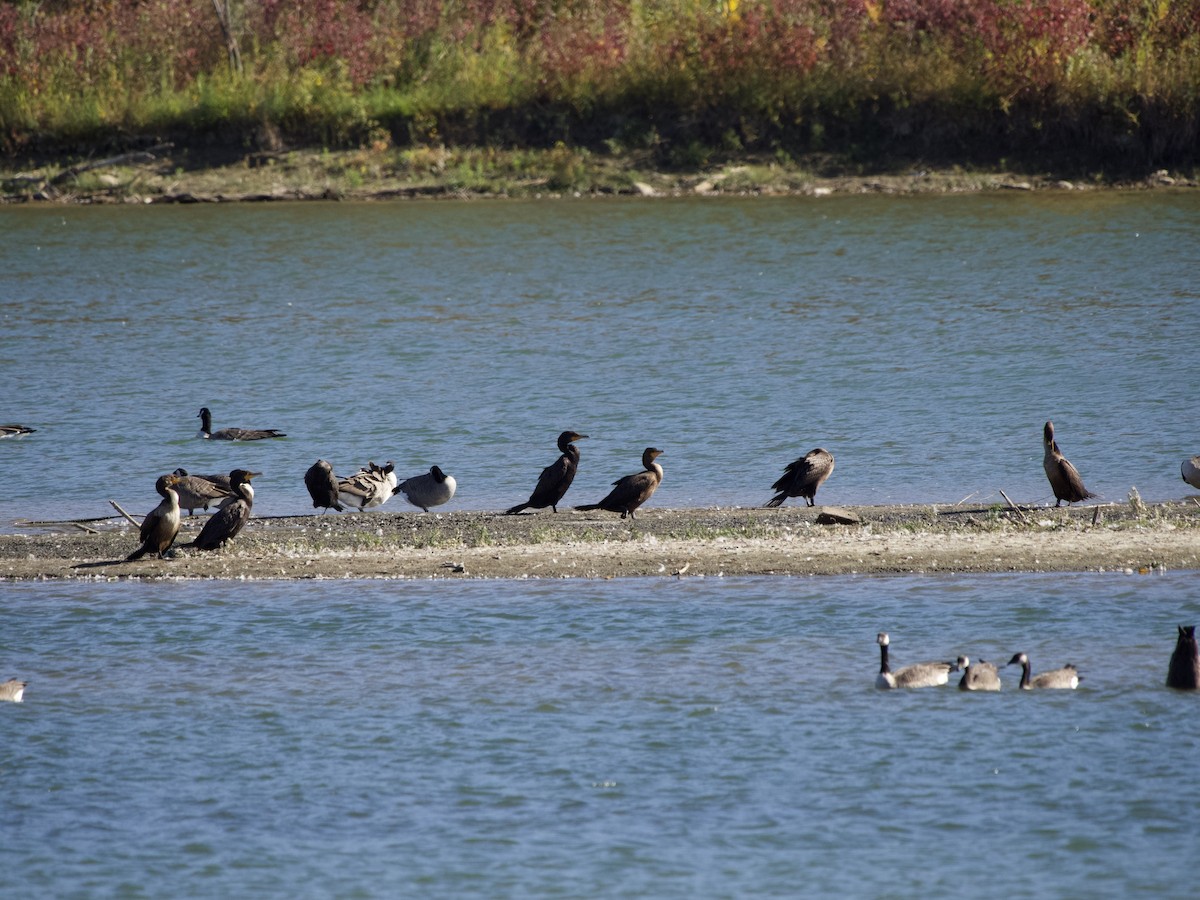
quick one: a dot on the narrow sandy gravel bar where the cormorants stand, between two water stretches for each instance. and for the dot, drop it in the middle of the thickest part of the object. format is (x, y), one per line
(663, 543)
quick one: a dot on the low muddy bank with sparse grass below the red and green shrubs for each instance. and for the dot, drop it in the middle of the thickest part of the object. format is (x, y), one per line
(165, 175)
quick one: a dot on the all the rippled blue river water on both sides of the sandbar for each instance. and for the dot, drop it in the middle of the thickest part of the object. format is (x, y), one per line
(627, 739)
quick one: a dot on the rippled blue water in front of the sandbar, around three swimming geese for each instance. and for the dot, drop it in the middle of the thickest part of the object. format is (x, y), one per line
(633, 739)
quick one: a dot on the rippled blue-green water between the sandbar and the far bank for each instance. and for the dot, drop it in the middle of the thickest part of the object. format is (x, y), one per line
(925, 341)
